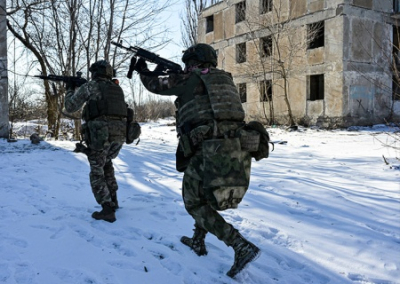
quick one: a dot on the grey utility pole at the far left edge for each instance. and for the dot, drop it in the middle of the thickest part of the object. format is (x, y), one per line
(4, 124)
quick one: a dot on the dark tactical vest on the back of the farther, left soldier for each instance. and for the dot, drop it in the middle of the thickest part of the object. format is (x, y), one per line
(111, 102)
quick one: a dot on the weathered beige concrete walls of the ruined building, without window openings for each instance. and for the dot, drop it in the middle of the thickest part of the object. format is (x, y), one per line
(349, 53)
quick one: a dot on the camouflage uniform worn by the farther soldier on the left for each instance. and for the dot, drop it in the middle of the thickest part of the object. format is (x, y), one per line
(104, 136)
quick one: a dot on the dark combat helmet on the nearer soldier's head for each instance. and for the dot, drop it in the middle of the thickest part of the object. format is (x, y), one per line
(202, 53)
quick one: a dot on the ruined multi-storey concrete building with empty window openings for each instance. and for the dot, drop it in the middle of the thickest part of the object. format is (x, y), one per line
(314, 62)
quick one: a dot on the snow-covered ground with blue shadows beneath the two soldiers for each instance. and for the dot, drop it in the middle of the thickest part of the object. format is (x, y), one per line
(323, 208)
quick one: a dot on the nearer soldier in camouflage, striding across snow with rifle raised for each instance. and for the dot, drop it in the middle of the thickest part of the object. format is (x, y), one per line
(209, 112)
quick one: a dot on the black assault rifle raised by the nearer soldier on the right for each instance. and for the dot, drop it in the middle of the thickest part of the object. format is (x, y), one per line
(163, 65)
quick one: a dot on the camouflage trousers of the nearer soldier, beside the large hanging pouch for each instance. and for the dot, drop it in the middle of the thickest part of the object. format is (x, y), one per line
(198, 206)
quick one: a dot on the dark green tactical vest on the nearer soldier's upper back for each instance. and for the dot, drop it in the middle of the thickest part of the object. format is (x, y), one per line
(222, 101)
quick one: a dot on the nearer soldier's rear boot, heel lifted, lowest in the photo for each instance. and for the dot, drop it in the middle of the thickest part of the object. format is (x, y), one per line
(245, 252)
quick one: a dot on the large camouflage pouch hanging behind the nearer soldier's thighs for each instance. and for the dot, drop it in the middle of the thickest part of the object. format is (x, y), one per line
(226, 172)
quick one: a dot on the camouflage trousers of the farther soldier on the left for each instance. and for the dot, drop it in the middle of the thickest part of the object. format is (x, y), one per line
(102, 177)
